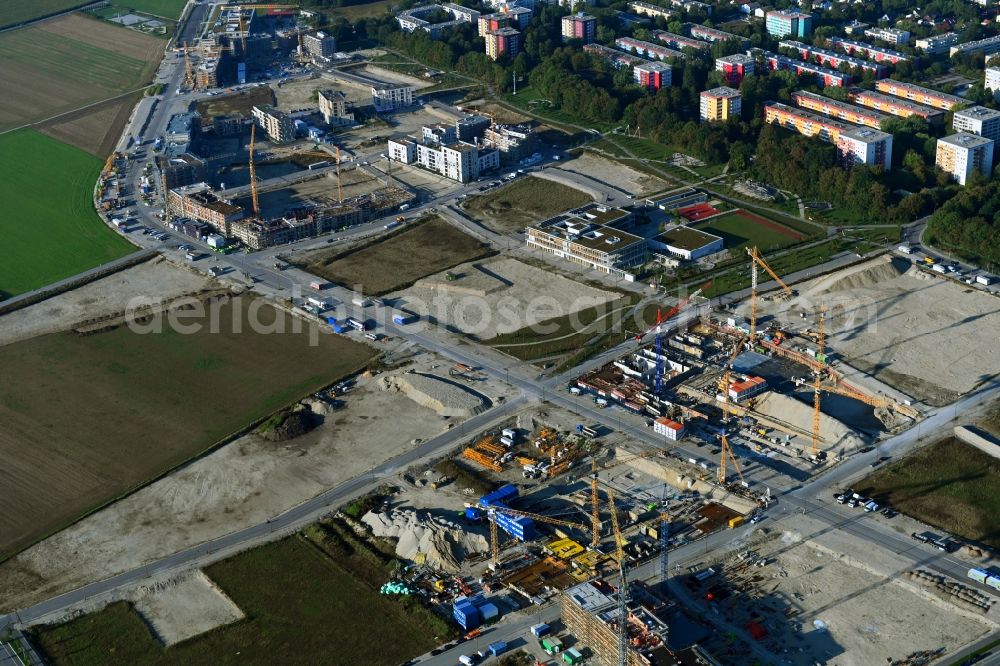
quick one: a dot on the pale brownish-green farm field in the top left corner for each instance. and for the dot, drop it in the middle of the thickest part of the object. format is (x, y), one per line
(67, 63)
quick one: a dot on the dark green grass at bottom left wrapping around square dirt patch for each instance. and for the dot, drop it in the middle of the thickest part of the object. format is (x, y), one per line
(303, 606)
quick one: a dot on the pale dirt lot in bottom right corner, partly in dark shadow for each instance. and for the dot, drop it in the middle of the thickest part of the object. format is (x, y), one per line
(864, 610)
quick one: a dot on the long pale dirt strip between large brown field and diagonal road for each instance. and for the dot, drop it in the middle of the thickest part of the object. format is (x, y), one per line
(242, 484)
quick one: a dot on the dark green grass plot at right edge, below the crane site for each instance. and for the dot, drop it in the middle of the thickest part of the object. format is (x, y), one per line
(949, 485)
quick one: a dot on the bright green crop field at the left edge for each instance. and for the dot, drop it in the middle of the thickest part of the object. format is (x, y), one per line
(49, 225)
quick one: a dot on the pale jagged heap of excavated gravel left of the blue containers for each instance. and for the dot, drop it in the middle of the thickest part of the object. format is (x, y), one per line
(445, 543)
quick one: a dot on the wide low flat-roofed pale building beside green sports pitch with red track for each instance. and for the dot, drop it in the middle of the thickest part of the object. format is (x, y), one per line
(590, 236)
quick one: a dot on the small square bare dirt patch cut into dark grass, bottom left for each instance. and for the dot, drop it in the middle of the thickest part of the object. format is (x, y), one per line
(186, 607)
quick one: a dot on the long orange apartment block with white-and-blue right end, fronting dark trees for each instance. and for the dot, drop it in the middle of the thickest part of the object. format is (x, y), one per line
(854, 144)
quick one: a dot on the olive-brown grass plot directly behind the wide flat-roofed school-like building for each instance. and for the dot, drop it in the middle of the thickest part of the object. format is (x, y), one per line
(526, 200)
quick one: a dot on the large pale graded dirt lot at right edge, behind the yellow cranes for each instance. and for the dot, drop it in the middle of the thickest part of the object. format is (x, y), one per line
(926, 336)
